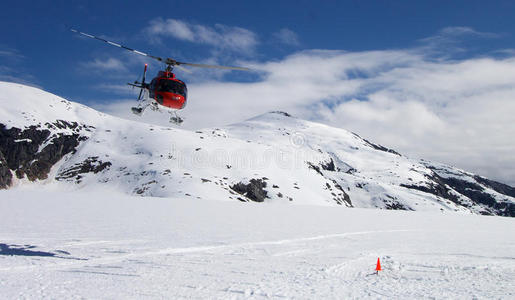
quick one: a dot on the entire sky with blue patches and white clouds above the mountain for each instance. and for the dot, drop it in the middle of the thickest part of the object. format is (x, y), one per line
(432, 79)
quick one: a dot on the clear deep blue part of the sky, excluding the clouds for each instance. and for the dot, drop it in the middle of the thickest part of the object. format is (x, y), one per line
(38, 33)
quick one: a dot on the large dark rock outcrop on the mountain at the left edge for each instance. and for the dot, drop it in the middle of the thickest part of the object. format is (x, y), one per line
(21, 148)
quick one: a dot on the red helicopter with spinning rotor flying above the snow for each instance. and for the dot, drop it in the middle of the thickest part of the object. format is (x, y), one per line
(165, 90)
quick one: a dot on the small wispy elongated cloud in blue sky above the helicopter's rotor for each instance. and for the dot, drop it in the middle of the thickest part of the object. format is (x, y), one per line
(219, 36)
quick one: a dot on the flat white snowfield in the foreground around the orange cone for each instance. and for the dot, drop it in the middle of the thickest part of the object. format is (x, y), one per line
(106, 245)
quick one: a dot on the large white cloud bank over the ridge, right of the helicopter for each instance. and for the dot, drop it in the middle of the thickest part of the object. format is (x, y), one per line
(457, 112)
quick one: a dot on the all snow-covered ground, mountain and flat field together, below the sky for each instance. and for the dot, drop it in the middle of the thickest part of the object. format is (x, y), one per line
(94, 206)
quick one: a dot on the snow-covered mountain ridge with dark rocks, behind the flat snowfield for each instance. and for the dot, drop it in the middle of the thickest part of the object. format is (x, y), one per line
(47, 140)
